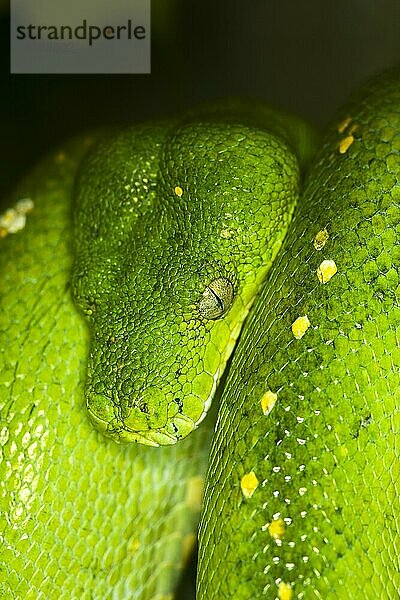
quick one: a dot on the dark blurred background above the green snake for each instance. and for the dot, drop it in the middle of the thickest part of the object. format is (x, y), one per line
(302, 55)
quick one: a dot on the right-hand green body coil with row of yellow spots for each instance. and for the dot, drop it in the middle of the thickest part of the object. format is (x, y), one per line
(322, 523)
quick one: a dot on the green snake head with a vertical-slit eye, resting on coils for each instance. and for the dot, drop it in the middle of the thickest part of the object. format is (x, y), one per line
(176, 226)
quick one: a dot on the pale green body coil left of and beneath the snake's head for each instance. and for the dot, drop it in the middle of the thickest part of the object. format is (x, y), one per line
(81, 517)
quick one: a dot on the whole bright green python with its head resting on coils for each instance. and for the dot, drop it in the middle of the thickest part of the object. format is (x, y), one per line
(130, 261)
